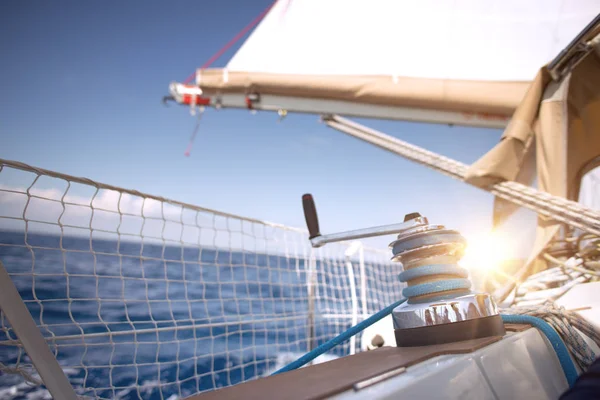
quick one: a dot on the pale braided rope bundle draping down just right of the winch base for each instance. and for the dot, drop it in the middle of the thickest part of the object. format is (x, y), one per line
(564, 322)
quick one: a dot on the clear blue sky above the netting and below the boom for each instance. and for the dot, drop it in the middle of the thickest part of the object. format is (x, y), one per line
(82, 84)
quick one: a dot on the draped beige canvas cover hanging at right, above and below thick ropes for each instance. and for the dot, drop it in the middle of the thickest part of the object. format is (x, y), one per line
(554, 137)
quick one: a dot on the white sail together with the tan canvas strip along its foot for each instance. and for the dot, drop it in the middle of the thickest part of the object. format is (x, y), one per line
(467, 56)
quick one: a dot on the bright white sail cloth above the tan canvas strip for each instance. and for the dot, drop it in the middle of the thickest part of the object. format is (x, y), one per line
(469, 40)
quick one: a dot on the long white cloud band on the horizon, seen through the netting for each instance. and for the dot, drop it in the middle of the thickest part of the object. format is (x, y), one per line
(114, 215)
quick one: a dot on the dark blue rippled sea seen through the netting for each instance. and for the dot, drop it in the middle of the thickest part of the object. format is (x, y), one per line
(256, 304)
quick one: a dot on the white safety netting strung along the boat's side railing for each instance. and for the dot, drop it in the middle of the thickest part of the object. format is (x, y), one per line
(143, 297)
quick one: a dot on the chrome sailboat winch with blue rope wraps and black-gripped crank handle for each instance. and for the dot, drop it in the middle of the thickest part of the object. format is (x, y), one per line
(440, 306)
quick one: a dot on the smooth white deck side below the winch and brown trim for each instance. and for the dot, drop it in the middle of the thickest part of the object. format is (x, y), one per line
(521, 363)
